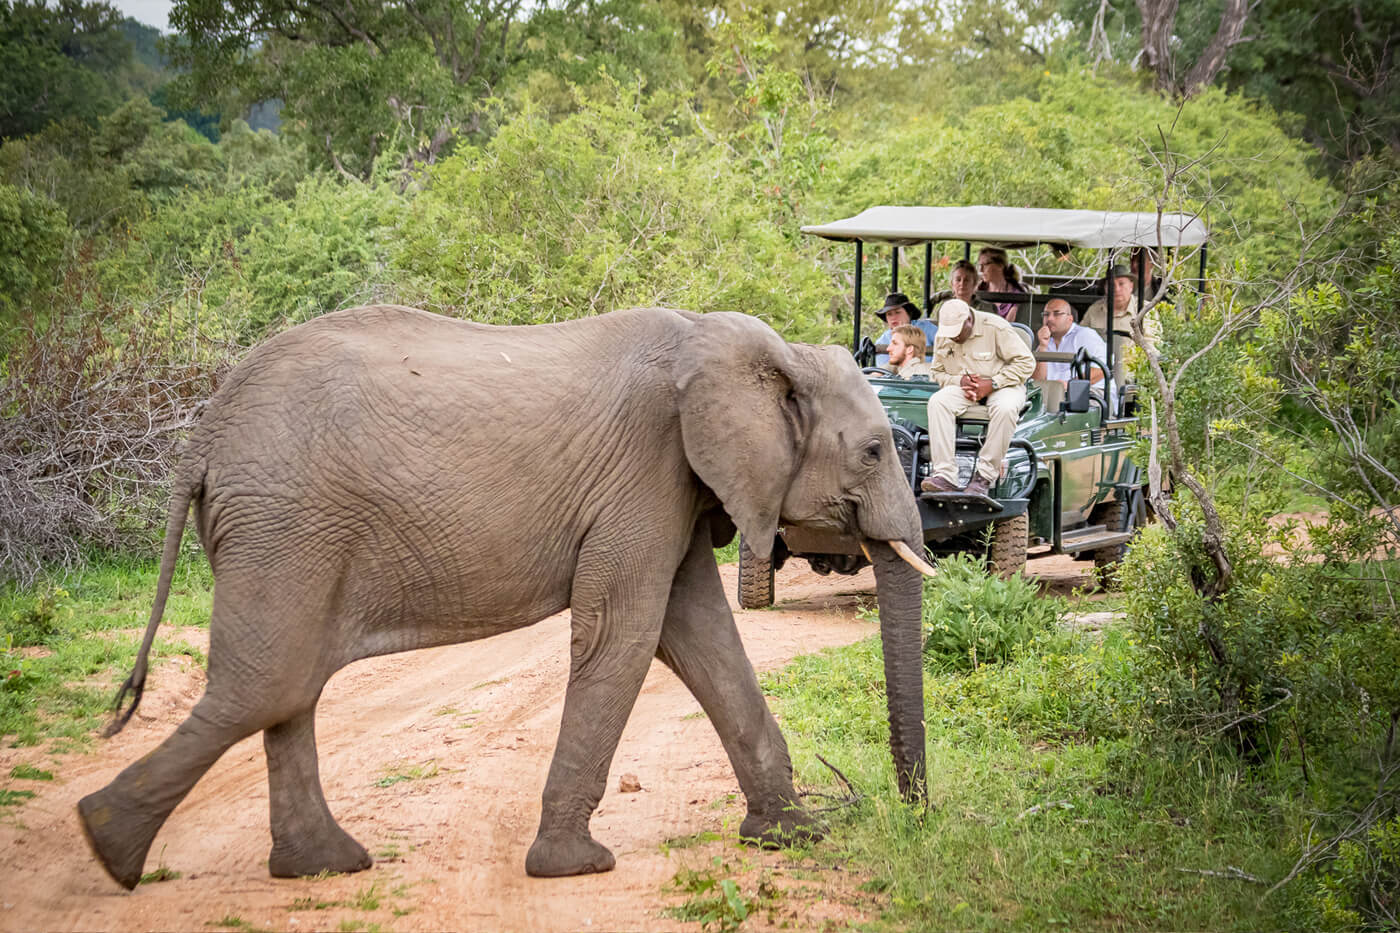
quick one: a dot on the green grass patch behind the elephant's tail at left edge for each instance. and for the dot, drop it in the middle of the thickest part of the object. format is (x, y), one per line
(68, 642)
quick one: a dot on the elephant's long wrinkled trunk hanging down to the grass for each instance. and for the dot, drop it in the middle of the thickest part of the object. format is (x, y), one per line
(901, 592)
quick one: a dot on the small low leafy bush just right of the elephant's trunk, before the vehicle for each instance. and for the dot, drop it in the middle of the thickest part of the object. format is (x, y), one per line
(975, 618)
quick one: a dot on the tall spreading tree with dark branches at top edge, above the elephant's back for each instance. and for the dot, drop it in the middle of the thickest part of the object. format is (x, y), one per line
(367, 78)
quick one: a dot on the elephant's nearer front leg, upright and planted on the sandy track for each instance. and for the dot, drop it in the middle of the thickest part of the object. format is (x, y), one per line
(615, 631)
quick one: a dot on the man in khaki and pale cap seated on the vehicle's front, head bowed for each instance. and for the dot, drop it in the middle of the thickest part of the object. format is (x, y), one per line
(979, 359)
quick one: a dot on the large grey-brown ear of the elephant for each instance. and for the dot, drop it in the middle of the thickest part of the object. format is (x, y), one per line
(741, 420)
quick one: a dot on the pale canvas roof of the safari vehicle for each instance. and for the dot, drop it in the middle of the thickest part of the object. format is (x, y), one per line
(1017, 228)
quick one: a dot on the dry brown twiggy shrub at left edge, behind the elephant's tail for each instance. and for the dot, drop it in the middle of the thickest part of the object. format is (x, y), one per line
(93, 417)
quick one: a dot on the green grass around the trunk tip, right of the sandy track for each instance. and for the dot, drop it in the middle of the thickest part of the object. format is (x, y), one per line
(1044, 812)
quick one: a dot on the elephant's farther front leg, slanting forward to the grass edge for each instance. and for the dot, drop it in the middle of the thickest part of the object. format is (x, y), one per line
(701, 644)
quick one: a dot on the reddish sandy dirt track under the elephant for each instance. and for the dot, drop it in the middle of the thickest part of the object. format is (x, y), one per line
(477, 724)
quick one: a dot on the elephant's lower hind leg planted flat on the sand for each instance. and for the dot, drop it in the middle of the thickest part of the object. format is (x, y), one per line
(306, 838)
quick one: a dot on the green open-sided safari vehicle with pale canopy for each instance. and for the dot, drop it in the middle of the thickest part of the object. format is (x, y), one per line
(1070, 485)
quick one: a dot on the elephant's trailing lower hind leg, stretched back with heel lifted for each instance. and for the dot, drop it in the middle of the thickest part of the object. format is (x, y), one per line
(121, 820)
